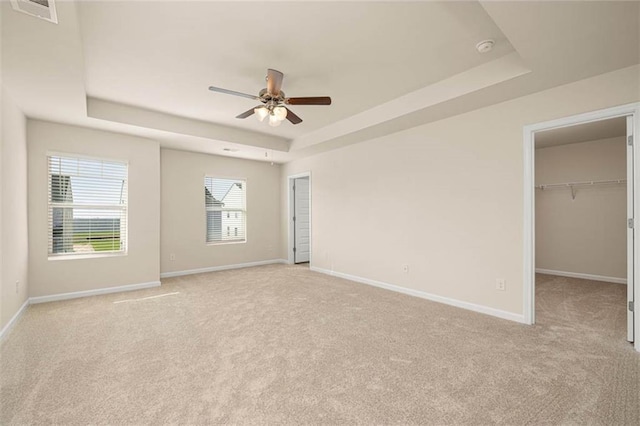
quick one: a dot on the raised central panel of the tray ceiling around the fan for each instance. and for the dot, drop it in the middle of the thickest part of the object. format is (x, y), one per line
(165, 55)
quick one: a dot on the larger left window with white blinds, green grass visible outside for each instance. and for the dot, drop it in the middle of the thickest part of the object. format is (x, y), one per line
(87, 206)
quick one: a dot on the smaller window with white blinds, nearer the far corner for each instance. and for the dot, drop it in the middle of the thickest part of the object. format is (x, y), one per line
(225, 208)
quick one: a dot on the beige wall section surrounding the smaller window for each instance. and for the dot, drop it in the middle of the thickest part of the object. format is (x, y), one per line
(183, 215)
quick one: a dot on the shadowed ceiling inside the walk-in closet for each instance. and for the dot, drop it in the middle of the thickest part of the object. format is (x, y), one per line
(596, 130)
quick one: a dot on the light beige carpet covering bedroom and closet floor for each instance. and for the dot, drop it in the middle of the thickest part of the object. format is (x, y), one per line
(283, 345)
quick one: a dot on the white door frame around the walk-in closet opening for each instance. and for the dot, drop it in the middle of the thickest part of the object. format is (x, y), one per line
(529, 201)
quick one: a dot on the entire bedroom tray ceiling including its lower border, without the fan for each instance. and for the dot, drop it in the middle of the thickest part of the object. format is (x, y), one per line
(143, 67)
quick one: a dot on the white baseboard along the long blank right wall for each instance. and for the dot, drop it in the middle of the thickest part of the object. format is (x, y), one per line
(433, 297)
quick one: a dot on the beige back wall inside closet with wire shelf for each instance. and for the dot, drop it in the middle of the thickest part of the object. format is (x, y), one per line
(587, 235)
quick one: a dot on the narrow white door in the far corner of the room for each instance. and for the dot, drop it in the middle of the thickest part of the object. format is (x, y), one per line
(301, 230)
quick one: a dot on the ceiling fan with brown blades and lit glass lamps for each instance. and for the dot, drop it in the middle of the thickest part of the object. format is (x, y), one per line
(274, 101)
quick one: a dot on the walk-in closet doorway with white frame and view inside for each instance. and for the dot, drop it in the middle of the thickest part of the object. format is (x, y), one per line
(580, 238)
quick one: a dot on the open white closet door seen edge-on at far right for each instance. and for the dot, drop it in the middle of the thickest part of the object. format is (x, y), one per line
(630, 225)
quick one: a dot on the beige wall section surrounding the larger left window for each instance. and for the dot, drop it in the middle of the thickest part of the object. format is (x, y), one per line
(141, 264)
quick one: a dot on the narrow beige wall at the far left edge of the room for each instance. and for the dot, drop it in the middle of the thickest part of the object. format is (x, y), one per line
(14, 230)
